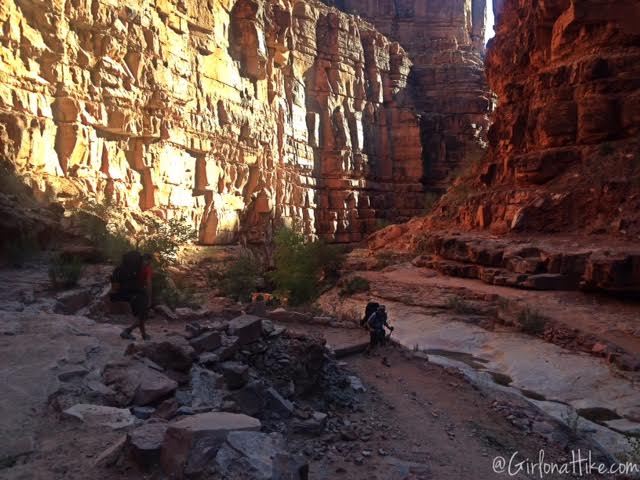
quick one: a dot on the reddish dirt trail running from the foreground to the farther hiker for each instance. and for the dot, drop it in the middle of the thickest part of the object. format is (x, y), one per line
(434, 419)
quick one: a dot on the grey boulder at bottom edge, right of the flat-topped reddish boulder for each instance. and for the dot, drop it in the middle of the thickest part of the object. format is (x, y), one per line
(259, 456)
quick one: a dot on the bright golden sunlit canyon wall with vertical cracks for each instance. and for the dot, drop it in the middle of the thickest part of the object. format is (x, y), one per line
(237, 114)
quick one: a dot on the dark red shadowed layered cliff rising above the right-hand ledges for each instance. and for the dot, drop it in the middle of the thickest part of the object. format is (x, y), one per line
(564, 151)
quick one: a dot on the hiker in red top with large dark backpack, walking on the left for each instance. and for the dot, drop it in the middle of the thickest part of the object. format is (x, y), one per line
(131, 282)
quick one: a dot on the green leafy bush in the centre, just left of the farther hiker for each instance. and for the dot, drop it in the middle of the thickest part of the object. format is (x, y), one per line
(301, 266)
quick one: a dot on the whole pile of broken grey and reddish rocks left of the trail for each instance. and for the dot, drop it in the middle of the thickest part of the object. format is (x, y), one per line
(223, 399)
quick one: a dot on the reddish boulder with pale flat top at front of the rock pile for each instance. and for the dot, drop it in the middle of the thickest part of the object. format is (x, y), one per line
(191, 444)
